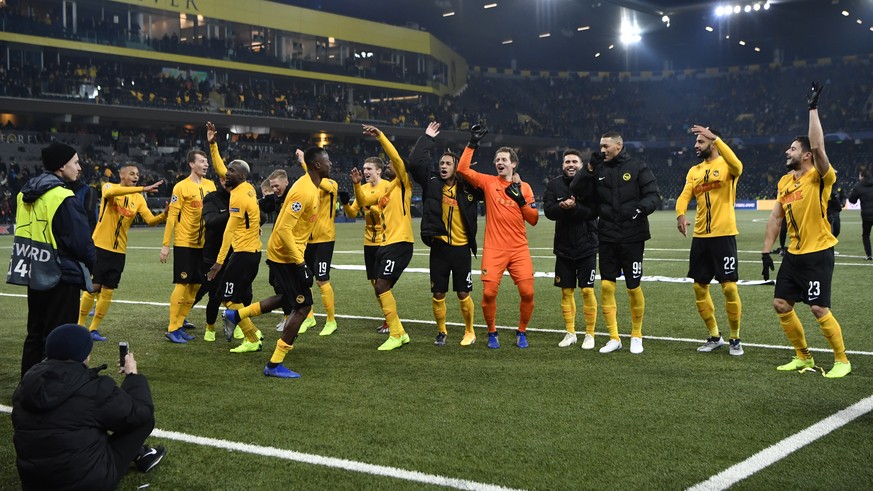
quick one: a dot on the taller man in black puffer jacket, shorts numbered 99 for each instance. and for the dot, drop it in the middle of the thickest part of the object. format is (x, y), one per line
(623, 191)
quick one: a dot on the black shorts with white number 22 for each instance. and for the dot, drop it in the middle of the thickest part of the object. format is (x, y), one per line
(713, 257)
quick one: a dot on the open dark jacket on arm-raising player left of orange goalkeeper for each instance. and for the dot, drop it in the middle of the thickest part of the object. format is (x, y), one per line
(421, 166)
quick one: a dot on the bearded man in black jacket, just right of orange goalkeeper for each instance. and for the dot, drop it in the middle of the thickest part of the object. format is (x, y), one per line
(575, 249)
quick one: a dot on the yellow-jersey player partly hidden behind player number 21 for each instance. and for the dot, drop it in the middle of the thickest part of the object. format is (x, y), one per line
(374, 185)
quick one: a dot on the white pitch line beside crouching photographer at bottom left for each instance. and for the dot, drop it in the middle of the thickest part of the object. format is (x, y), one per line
(313, 459)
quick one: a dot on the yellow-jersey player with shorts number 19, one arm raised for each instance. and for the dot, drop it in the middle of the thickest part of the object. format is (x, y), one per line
(186, 230)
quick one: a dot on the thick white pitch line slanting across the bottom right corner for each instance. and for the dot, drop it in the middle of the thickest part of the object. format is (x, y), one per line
(784, 448)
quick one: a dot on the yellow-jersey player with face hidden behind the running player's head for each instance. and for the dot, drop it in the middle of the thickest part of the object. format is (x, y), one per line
(319, 251)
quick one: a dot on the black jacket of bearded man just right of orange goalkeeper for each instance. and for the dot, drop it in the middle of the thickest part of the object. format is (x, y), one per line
(576, 228)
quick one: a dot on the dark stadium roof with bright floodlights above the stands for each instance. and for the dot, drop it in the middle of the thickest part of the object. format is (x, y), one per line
(577, 34)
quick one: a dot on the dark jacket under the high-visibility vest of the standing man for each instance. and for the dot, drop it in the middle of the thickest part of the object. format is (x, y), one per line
(70, 228)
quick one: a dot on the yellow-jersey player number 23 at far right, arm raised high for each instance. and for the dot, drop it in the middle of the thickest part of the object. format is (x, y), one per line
(807, 269)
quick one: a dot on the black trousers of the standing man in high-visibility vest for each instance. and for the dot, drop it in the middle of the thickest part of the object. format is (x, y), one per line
(47, 310)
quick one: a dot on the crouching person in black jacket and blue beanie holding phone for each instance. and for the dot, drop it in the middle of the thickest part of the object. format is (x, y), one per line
(62, 412)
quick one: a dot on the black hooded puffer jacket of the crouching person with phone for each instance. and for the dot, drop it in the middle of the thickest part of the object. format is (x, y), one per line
(61, 412)
